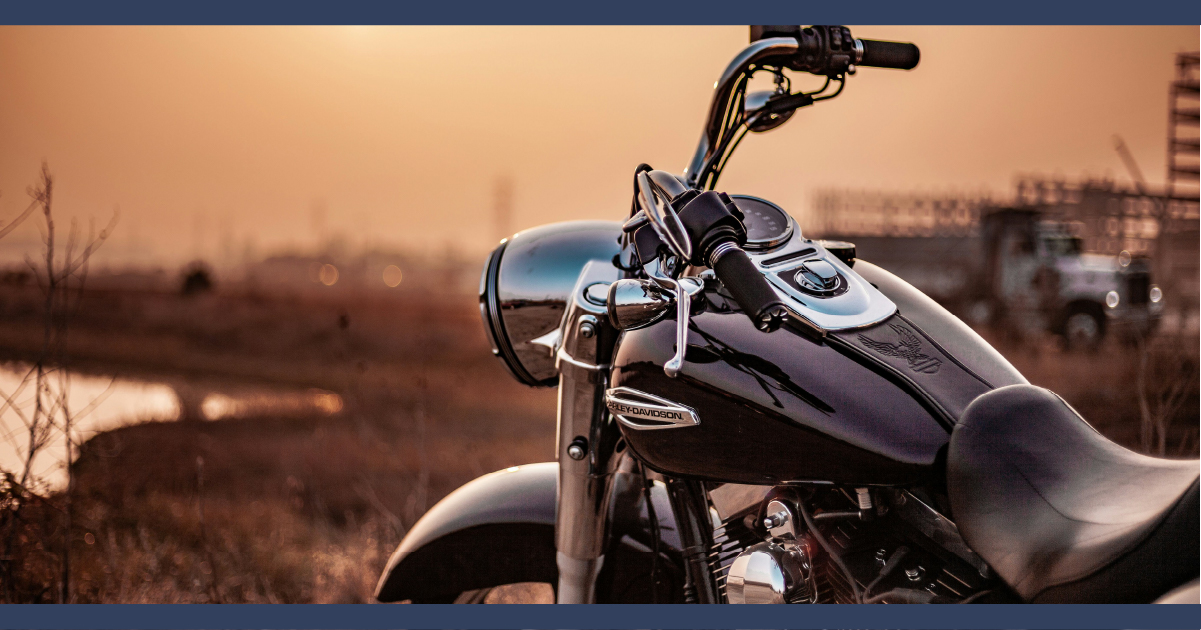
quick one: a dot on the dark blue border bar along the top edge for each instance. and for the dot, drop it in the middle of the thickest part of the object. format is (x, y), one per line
(599, 13)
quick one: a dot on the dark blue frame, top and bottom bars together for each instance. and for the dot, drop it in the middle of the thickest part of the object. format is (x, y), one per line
(301, 617)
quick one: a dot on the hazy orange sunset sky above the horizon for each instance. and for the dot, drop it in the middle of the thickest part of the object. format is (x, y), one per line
(212, 139)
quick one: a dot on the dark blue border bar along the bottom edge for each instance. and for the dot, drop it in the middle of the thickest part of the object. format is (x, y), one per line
(613, 617)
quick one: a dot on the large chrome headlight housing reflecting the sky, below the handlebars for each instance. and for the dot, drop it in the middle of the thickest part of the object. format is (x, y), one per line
(527, 285)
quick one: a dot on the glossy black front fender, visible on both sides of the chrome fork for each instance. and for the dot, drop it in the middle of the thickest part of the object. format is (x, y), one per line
(500, 530)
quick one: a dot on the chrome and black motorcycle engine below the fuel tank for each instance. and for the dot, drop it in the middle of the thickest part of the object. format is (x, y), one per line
(840, 547)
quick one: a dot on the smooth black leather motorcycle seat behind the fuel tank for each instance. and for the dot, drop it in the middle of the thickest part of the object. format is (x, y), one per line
(1061, 513)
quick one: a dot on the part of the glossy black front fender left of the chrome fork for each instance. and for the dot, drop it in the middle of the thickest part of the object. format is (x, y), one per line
(498, 530)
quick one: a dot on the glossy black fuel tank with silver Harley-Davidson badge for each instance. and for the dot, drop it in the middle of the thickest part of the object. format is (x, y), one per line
(870, 406)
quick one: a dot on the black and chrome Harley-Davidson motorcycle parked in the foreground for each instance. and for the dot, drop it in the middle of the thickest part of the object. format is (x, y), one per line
(748, 416)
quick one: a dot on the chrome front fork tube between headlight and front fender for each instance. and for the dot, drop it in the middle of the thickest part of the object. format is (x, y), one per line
(587, 441)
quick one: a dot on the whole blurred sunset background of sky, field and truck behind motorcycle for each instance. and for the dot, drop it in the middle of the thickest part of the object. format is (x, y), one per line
(241, 351)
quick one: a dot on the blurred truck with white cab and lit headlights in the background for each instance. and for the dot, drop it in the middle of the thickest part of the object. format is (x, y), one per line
(1025, 273)
